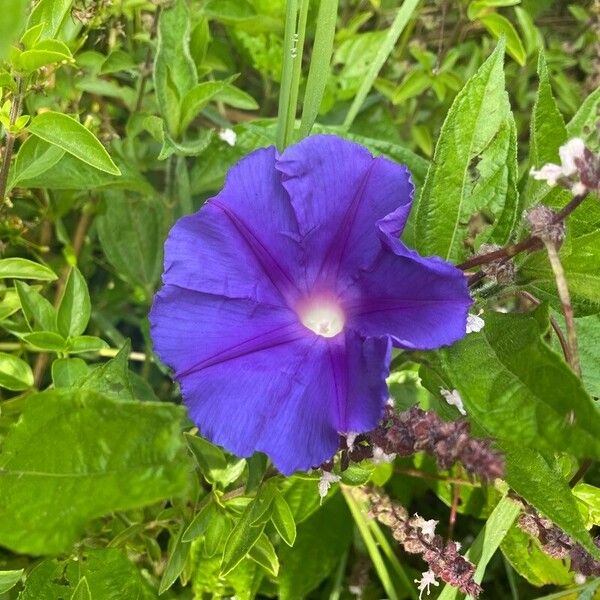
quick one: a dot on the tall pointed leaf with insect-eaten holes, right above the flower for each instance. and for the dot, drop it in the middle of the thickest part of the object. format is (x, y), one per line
(449, 197)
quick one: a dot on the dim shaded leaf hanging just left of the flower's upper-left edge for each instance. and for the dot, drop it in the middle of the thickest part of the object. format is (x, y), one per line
(131, 232)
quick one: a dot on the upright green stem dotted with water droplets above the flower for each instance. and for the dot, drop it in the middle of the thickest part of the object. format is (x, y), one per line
(293, 45)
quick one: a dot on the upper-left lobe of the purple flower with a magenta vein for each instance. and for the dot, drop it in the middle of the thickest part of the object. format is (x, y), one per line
(240, 244)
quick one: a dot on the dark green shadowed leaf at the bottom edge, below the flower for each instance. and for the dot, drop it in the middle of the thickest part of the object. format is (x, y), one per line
(321, 541)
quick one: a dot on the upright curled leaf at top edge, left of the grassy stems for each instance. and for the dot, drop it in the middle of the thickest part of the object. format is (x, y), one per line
(174, 69)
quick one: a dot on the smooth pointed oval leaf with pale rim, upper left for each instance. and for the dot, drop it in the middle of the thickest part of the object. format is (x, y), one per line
(70, 135)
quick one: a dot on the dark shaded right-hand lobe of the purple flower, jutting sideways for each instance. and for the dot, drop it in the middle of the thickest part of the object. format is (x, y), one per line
(421, 303)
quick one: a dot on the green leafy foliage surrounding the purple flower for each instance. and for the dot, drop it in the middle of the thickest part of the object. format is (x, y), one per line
(112, 113)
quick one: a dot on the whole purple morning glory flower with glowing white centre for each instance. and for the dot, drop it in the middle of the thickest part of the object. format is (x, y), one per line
(284, 294)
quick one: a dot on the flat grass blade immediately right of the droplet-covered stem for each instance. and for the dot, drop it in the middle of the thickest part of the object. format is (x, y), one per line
(320, 64)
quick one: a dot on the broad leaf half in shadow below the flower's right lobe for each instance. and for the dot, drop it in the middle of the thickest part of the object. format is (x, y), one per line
(507, 369)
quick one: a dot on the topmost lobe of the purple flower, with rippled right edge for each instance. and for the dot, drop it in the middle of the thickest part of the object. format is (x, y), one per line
(340, 193)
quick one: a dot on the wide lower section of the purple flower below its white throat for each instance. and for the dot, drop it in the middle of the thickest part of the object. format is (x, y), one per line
(253, 378)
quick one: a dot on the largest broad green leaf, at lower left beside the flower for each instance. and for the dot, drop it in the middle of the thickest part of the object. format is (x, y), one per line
(77, 455)
